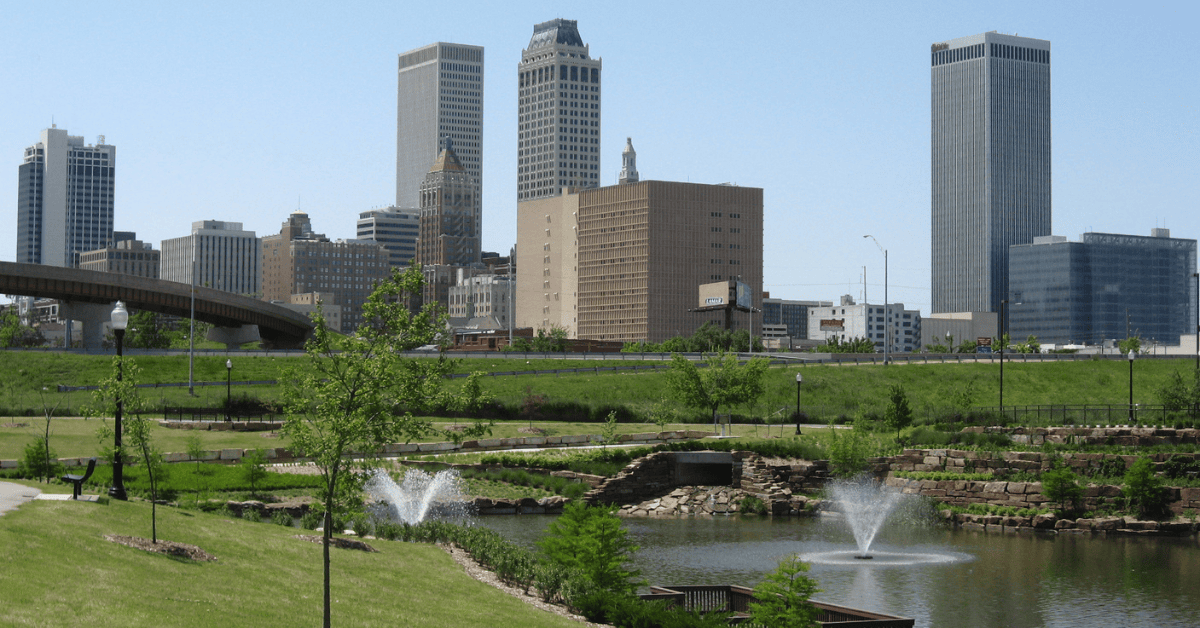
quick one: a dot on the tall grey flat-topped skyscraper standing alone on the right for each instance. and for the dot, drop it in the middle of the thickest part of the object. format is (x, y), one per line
(991, 164)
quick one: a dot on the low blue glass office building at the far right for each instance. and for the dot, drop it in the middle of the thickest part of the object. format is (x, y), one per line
(1103, 288)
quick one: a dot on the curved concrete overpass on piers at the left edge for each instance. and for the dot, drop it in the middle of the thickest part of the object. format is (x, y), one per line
(88, 296)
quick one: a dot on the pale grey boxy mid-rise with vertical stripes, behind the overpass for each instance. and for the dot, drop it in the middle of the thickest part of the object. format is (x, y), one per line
(218, 255)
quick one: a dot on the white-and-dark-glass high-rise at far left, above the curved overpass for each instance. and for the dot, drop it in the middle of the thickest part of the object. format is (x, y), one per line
(64, 199)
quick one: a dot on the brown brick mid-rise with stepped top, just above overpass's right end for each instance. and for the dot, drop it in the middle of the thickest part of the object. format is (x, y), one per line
(344, 273)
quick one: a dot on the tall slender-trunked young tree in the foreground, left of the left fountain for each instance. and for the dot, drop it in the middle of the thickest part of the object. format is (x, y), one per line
(358, 393)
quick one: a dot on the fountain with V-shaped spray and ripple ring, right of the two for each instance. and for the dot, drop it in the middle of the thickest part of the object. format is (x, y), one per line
(866, 506)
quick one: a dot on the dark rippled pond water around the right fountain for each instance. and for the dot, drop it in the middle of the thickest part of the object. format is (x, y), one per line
(987, 579)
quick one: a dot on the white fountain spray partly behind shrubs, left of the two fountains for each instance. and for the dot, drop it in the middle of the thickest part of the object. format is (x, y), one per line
(419, 498)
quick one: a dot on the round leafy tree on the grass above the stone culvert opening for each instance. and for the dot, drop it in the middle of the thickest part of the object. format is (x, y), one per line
(724, 382)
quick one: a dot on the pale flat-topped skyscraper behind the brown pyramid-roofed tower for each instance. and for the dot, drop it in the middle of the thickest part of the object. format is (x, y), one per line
(440, 94)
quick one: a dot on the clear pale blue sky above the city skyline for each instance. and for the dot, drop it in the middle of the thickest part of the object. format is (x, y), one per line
(247, 112)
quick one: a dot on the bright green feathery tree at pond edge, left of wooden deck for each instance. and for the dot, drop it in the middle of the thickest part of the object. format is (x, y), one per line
(590, 539)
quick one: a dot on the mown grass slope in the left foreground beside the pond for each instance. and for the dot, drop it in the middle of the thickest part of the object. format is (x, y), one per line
(59, 571)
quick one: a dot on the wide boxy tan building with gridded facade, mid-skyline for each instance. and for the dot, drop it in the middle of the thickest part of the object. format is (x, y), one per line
(625, 262)
